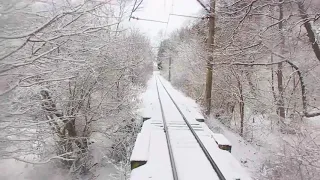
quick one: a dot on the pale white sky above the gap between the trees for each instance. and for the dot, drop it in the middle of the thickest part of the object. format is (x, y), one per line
(160, 10)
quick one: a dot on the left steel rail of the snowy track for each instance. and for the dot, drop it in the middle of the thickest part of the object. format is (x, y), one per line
(173, 165)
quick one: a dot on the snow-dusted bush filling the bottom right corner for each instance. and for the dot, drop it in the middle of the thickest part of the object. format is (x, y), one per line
(296, 157)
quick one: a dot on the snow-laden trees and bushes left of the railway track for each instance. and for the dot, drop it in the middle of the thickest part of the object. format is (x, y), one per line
(70, 74)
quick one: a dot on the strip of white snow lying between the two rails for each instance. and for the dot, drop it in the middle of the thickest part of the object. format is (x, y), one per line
(186, 149)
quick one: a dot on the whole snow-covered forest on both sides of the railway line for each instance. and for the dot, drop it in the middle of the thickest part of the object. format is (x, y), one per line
(71, 72)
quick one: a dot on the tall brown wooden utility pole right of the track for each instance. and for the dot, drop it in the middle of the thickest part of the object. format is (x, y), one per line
(210, 58)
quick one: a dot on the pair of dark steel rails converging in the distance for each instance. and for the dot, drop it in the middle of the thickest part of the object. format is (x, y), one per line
(167, 134)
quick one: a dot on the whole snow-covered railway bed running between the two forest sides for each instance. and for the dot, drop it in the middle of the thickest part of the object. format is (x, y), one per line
(188, 158)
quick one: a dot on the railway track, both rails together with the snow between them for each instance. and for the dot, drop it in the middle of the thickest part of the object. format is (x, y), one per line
(170, 118)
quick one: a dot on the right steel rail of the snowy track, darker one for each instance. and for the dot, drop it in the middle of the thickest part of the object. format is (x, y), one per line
(205, 151)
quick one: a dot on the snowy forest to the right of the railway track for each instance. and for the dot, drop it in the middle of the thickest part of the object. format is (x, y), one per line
(264, 61)
